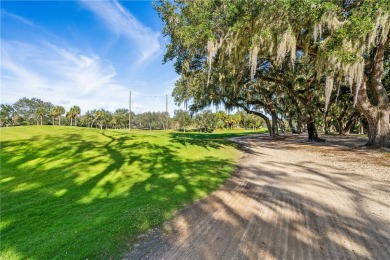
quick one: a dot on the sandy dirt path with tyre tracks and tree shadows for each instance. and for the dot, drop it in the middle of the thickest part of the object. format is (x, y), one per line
(288, 200)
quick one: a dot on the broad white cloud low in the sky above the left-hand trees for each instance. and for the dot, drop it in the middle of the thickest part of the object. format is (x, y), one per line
(59, 75)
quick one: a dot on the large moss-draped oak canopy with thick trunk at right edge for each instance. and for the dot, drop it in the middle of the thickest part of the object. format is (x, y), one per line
(347, 41)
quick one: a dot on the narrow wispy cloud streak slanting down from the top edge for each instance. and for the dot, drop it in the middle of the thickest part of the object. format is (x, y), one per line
(123, 23)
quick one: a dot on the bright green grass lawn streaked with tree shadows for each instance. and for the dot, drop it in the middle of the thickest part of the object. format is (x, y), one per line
(77, 193)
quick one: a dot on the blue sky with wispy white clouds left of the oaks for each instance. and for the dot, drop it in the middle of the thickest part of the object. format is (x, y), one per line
(85, 53)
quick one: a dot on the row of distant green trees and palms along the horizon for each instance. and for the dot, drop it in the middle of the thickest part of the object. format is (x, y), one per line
(37, 112)
